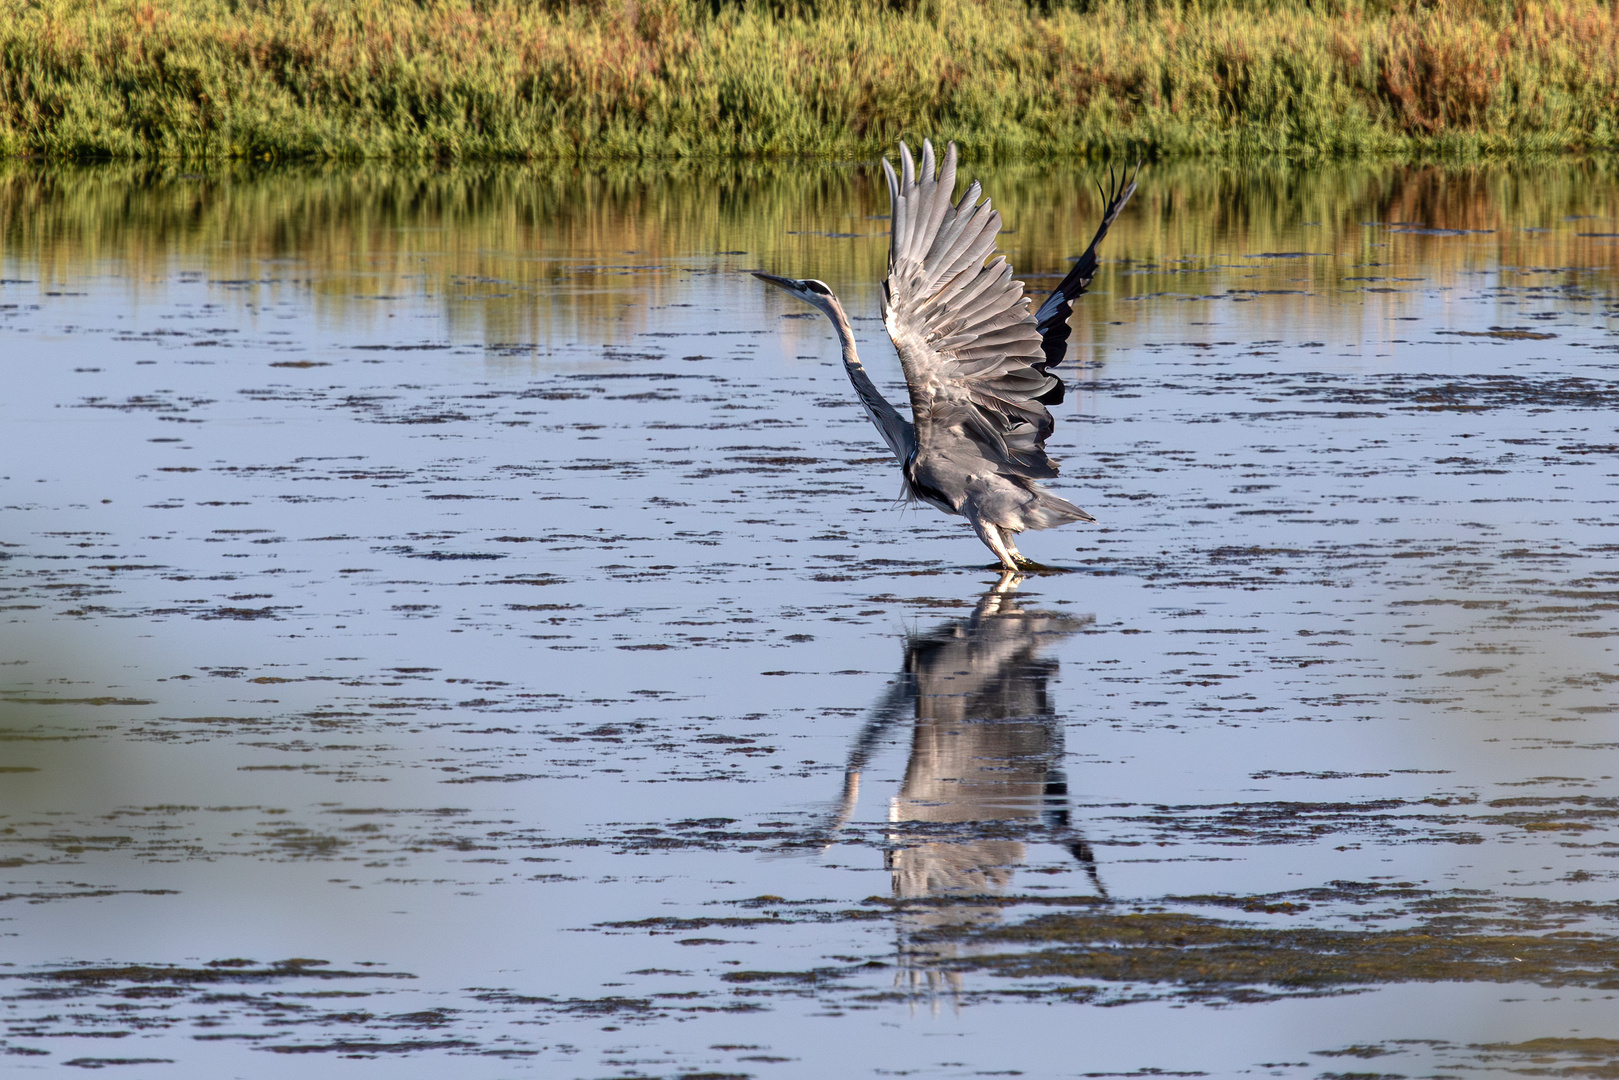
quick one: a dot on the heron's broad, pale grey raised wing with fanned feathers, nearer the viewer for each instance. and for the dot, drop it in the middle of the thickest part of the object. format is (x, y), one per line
(964, 331)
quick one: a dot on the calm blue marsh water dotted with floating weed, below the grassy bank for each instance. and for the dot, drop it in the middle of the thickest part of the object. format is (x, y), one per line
(456, 624)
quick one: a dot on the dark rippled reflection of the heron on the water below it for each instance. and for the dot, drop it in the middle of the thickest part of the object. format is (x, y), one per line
(987, 750)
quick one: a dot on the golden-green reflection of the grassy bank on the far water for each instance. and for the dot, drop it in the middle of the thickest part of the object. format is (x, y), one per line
(618, 240)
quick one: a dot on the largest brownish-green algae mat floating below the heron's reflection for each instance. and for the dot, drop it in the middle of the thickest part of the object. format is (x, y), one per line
(1447, 938)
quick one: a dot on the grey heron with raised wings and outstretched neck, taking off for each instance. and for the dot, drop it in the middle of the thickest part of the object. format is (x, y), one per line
(977, 359)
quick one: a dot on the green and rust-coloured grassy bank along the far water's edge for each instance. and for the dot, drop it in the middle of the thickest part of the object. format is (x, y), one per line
(844, 79)
